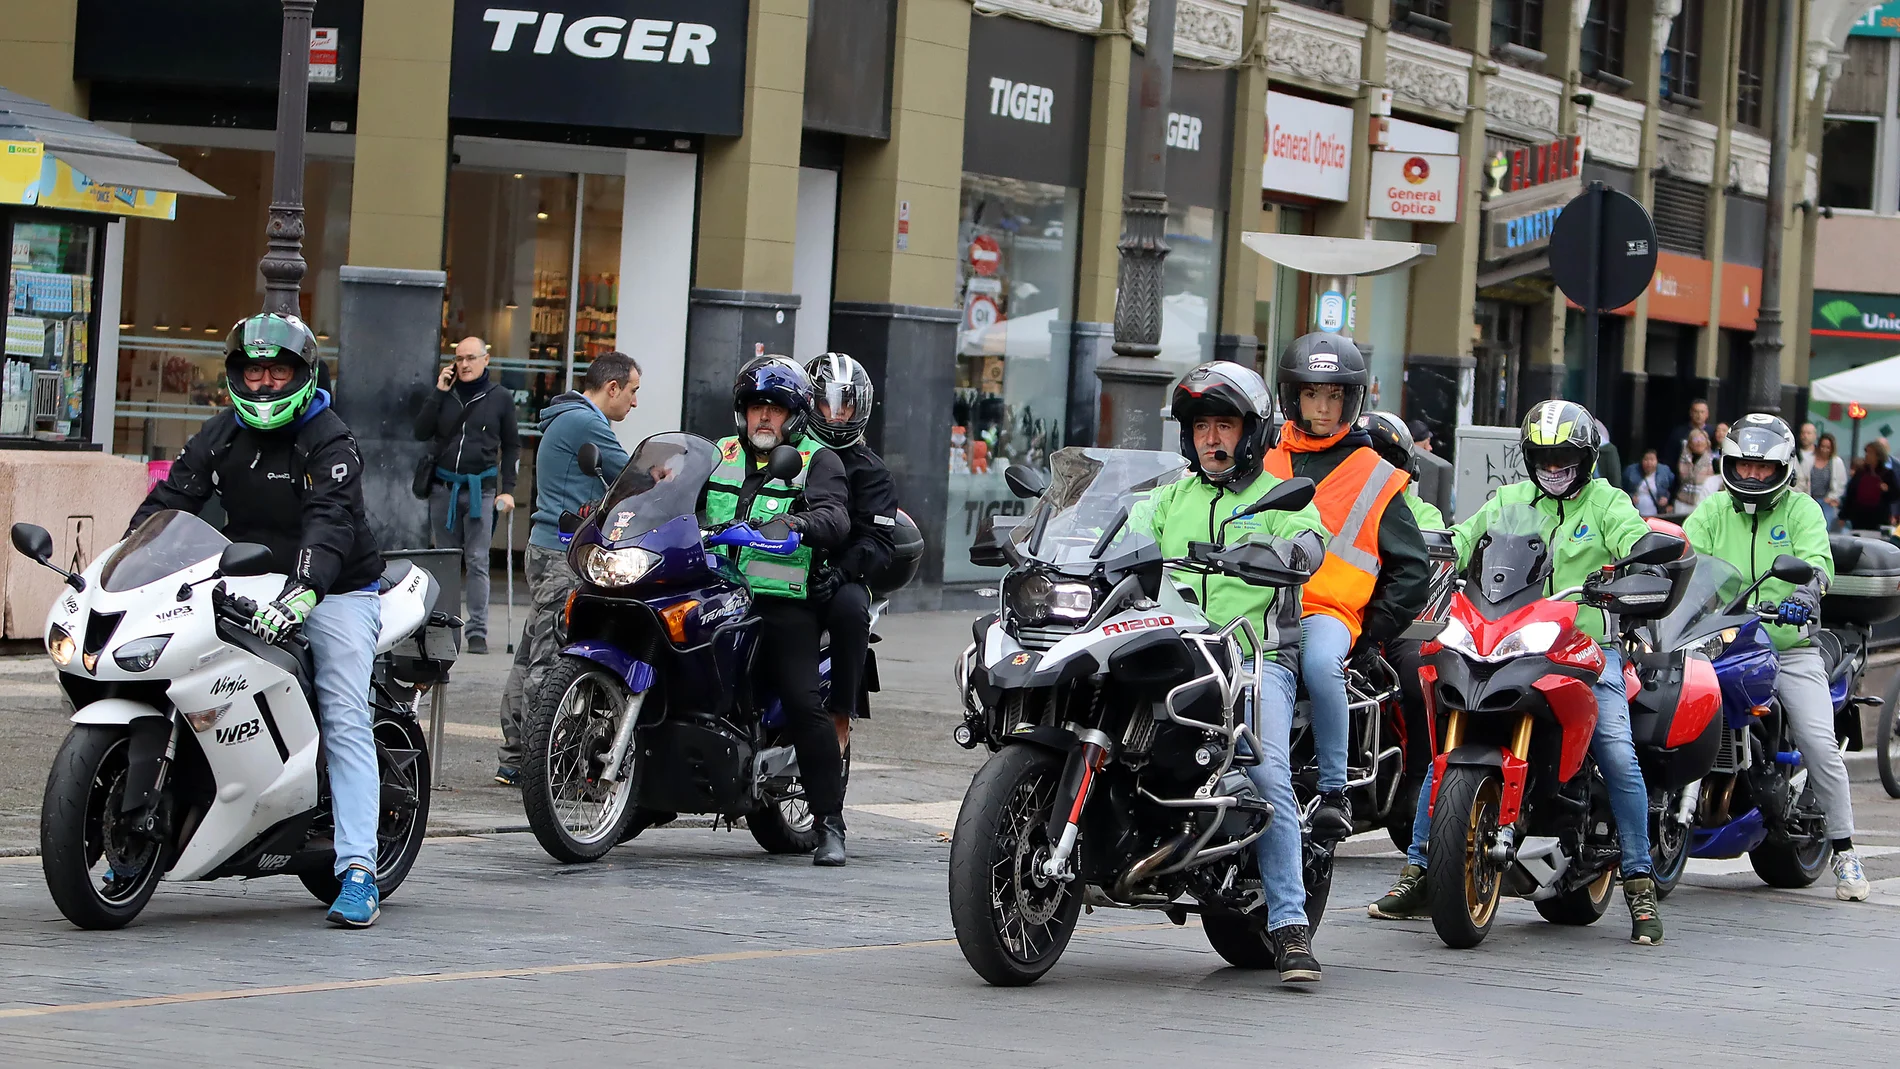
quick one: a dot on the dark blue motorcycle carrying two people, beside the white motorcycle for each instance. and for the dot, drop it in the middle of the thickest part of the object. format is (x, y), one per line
(651, 709)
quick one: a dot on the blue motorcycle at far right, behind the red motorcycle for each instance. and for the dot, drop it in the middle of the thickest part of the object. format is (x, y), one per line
(1755, 800)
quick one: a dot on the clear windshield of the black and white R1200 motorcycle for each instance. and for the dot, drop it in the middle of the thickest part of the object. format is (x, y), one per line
(1090, 493)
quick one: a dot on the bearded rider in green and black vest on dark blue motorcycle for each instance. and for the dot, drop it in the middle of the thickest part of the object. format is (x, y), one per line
(772, 407)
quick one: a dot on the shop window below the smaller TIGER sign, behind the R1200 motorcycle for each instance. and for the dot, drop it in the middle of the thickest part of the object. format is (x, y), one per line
(1017, 284)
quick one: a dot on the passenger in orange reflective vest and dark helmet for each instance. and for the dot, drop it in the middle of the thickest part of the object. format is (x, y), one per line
(1378, 572)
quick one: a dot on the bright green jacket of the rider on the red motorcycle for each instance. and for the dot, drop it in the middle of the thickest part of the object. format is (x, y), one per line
(1595, 529)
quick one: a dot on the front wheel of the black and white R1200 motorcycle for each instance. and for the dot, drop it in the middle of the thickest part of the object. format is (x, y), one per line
(1012, 920)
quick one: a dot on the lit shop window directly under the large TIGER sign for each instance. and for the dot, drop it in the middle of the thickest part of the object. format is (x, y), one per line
(518, 242)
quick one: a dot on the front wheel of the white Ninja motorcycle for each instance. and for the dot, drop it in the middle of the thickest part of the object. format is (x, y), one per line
(100, 869)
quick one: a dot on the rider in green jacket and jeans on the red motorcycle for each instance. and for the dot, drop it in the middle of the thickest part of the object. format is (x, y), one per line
(1591, 525)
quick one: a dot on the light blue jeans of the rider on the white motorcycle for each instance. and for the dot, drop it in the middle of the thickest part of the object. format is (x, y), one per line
(343, 643)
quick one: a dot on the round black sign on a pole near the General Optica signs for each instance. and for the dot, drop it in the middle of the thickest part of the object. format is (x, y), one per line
(1608, 234)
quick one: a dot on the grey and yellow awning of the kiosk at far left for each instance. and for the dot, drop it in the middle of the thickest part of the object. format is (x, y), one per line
(94, 153)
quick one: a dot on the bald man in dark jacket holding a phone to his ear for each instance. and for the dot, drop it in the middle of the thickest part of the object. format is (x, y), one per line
(470, 422)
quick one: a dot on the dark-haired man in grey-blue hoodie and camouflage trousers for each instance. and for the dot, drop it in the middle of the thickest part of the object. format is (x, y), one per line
(569, 422)
